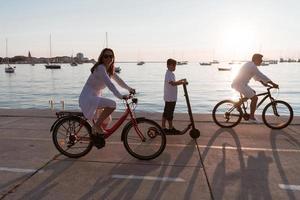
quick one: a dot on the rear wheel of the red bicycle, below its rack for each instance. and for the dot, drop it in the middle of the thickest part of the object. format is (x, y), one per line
(71, 137)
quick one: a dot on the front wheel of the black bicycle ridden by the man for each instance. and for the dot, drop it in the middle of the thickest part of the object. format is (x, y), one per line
(277, 114)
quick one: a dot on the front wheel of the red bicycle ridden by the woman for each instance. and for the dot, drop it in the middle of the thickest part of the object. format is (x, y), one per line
(145, 140)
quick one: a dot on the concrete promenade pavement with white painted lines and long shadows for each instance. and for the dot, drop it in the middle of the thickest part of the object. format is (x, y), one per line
(249, 161)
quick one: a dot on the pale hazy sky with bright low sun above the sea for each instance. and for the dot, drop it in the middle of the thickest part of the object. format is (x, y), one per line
(193, 30)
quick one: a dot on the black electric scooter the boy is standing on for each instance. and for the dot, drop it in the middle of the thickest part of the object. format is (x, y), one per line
(194, 133)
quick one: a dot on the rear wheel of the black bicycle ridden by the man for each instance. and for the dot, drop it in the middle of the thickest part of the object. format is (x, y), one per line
(226, 115)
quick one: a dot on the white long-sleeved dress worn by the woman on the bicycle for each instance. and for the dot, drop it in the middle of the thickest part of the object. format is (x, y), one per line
(90, 98)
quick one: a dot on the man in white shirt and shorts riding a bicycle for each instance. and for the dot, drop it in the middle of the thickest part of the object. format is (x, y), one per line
(240, 83)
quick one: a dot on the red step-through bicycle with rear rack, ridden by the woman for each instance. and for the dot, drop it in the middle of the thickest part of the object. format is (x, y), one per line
(143, 138)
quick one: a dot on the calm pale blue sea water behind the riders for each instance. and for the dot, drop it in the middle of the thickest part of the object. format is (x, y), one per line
(33, 86)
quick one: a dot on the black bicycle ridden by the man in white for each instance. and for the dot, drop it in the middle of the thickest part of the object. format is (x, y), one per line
(276, 114)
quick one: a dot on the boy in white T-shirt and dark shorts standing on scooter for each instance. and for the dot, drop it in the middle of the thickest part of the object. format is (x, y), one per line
(170, 96)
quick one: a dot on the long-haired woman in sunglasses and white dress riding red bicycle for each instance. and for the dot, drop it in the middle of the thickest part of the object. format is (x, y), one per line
(91, 96)
